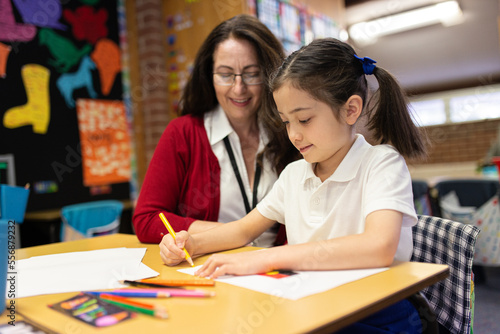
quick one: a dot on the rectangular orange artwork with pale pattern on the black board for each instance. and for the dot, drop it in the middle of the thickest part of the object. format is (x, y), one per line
(105, 141)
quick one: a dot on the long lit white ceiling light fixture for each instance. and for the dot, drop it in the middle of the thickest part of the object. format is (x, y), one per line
(447, 12)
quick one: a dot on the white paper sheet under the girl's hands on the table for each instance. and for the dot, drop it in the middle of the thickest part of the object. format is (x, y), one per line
(304, 283)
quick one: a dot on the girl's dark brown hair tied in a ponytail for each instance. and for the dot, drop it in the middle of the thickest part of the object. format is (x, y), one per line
(328, 71)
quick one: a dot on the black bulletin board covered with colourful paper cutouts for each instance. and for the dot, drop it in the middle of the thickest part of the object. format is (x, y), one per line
(62, 114)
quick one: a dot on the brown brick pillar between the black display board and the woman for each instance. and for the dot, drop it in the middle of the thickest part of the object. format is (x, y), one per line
(147, 76)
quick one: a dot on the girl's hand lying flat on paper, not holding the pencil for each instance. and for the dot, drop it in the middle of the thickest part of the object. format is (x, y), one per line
(246, 263)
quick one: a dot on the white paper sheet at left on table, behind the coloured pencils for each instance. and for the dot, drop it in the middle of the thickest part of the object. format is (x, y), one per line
(80, 271)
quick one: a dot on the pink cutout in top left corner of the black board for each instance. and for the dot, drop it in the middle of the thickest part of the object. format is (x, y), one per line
(10, 30)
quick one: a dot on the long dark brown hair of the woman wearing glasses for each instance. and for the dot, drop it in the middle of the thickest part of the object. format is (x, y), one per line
(198, 97)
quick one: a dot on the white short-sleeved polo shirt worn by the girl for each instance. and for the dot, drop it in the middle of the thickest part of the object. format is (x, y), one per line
(370, 178)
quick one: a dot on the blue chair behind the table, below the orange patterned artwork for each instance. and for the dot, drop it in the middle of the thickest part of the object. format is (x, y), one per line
(91, 219)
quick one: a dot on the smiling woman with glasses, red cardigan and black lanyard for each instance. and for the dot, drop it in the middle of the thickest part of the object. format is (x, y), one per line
(215, 162)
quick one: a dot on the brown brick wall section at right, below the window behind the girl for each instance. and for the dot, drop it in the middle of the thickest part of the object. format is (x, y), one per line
(461, 142)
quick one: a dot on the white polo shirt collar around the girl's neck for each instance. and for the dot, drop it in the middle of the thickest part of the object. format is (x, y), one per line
(349, 166)
